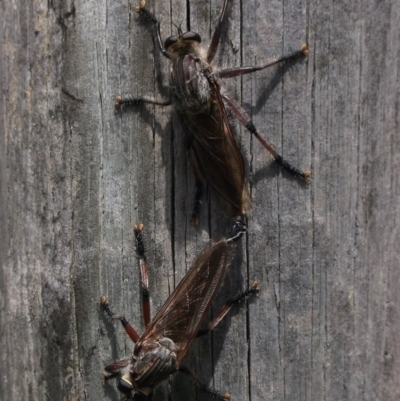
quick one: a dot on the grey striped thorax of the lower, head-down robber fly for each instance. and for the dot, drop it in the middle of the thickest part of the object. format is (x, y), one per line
(153, 363)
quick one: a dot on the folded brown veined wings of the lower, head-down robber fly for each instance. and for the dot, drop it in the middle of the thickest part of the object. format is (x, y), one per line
(181, 316)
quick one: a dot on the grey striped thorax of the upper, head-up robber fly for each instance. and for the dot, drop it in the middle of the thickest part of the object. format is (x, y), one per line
(190, 89)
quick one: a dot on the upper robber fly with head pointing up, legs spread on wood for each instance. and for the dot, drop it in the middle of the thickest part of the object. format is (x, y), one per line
(201, 107)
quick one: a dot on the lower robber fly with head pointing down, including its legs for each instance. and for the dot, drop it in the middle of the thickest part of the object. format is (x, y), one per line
(158, 353)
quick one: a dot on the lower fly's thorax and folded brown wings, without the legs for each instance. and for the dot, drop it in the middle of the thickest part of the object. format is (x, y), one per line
(161, 348)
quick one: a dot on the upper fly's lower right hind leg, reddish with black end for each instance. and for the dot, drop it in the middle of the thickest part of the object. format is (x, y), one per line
(242, 116)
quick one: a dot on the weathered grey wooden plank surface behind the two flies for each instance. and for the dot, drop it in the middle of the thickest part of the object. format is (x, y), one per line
(75, 176)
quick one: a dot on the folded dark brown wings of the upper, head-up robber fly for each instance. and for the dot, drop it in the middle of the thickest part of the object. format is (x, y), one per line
(215, 154)
